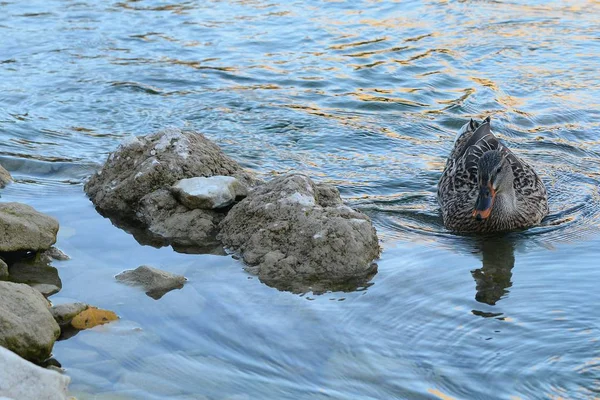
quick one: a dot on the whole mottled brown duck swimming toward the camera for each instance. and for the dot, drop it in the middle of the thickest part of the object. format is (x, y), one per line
(485, 187)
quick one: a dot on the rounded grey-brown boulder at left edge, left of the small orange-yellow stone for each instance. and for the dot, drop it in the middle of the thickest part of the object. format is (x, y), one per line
(26, 325)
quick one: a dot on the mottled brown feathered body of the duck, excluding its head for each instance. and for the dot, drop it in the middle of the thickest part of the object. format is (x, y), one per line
(458, 189)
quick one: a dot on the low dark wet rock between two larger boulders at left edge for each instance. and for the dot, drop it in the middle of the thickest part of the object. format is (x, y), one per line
(42, 277)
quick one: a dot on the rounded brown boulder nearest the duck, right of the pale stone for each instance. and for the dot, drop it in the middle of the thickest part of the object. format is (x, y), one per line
(297, 235)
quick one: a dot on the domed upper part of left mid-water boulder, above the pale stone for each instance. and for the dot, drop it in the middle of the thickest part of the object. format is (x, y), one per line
(143, 165)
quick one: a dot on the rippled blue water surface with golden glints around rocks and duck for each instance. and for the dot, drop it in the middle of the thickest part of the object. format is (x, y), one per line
(364, 94)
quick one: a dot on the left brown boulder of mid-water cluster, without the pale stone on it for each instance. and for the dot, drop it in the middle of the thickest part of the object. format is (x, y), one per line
(135, 184)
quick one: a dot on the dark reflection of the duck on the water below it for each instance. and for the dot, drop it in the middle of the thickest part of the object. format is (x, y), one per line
(493, 279)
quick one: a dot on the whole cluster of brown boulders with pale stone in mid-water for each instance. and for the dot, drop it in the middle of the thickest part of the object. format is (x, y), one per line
(294, 233)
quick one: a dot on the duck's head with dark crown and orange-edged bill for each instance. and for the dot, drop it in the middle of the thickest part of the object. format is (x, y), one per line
(494, 178)
